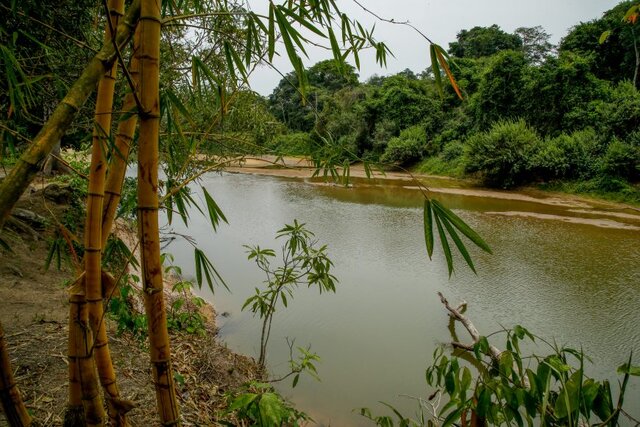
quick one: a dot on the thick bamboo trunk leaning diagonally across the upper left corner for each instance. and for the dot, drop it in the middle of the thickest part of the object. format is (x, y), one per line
(29, 163)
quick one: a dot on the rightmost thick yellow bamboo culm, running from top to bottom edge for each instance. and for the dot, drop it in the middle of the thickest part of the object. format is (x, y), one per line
(148, 231)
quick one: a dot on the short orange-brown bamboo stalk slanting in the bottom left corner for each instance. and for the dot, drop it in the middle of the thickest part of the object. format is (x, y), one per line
(12, 404)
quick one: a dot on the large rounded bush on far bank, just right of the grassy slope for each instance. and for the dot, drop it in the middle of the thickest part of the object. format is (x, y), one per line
(503, 155)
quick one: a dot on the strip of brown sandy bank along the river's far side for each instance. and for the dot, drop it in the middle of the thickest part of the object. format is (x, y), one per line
(568, 207)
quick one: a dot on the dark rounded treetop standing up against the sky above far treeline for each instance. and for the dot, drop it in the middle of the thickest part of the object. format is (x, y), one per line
(483, 41)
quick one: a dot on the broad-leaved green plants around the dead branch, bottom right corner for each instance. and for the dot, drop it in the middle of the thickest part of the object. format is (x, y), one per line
(482, 385)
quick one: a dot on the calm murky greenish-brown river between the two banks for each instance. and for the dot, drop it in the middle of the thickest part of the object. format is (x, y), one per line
(559, 269)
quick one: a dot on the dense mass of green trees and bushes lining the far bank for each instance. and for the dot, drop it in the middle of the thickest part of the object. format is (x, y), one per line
(562, 117)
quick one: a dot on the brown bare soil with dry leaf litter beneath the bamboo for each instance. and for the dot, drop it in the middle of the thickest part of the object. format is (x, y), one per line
(34, 313)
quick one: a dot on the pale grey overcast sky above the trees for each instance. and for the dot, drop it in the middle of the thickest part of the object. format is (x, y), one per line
(441, 20)
